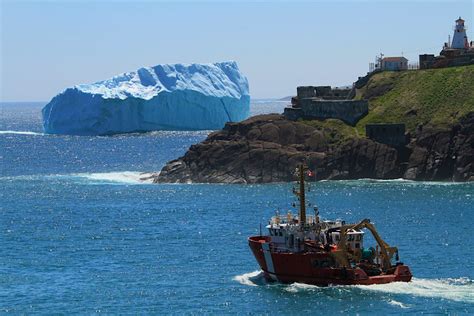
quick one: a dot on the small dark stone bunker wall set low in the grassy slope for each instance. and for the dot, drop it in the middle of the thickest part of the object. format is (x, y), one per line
(389, 134)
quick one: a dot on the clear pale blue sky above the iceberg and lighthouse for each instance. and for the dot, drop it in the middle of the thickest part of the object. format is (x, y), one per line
(47, 46)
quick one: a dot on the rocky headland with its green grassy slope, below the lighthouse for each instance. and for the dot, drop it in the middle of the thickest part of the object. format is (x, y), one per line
(436, 105)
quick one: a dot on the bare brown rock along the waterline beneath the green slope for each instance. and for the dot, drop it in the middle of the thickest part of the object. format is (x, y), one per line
(266, 148)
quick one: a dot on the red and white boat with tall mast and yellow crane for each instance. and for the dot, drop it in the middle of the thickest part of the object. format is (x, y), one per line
(306, 249)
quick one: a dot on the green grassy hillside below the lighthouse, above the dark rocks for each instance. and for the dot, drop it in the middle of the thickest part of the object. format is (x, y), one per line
(434, 96)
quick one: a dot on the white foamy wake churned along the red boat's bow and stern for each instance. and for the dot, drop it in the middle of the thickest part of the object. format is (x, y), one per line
(460, 290)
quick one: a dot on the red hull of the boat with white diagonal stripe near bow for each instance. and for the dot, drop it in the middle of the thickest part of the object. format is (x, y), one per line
(306, 267)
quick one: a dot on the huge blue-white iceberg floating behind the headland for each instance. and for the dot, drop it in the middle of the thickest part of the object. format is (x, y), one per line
(163, 97)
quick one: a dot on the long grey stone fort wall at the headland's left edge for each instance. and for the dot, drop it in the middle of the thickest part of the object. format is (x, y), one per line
(349, 111)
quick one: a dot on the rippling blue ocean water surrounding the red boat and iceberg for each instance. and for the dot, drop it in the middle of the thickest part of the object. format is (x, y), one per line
(79, 233)
